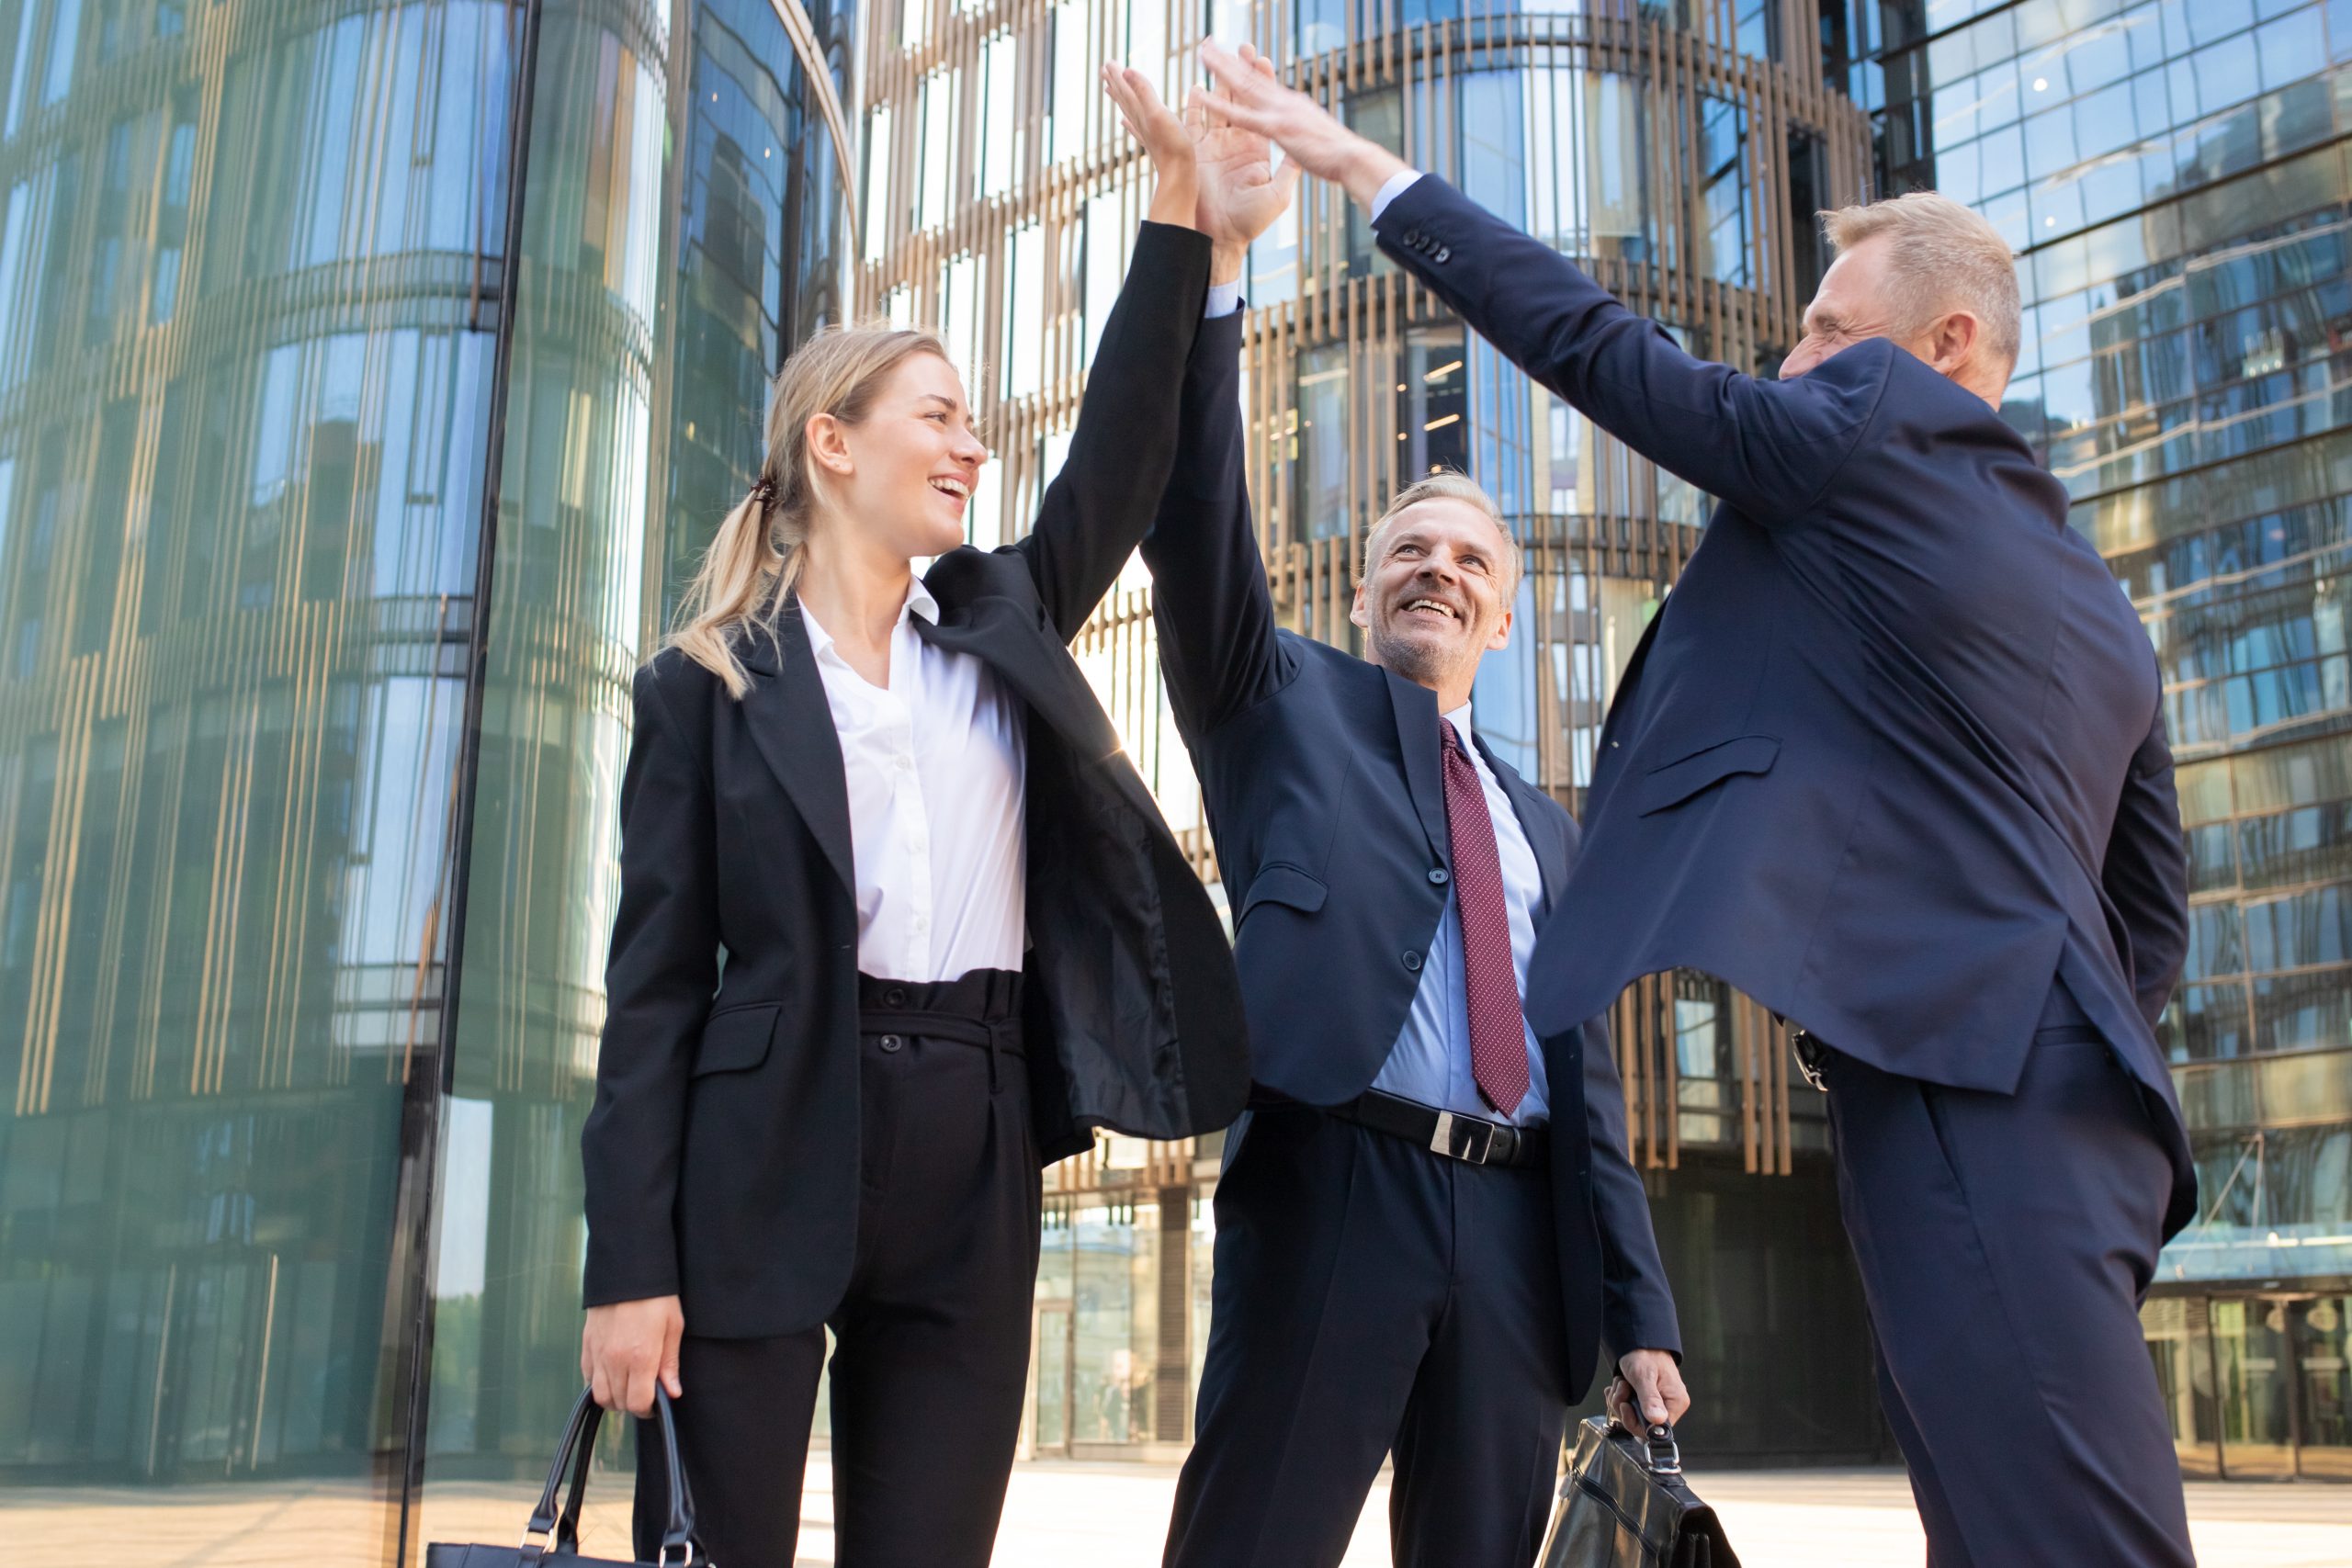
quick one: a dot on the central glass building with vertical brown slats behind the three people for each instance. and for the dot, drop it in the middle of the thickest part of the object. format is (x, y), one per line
(1681, 154)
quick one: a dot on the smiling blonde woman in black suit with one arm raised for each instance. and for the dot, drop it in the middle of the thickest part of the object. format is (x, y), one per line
(897, 925)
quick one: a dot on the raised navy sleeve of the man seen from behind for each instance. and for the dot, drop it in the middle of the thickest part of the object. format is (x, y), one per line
(1768, 448)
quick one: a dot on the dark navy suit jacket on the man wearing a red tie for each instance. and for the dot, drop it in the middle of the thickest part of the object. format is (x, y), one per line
(1325, 793)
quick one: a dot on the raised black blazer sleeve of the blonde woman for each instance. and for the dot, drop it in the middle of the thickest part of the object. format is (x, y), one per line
(1125, 443)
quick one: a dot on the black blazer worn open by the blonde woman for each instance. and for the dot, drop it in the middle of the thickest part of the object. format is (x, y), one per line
(723, 1148)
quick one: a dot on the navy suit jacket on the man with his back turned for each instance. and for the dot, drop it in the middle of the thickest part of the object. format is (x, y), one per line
(1892, 756)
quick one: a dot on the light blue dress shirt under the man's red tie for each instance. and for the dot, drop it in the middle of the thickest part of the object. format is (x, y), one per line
(1431, 1059)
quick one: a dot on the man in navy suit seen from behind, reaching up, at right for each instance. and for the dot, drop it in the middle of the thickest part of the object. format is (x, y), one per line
(1890, 760)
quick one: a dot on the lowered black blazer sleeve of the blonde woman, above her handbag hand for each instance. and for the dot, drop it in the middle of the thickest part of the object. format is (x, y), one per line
(660, 979)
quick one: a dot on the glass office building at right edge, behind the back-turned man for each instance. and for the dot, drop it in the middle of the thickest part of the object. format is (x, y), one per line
(2174, 177)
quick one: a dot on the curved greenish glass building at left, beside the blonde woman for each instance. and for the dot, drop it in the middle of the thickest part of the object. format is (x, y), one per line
(366, 373)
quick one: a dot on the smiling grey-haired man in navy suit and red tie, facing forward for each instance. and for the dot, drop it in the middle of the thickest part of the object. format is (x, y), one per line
(1426, 1224)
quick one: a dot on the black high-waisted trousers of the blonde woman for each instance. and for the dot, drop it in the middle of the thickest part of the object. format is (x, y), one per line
(930, 1360)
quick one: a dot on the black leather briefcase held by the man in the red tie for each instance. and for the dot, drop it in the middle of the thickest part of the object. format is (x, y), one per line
(1624, 1506)
